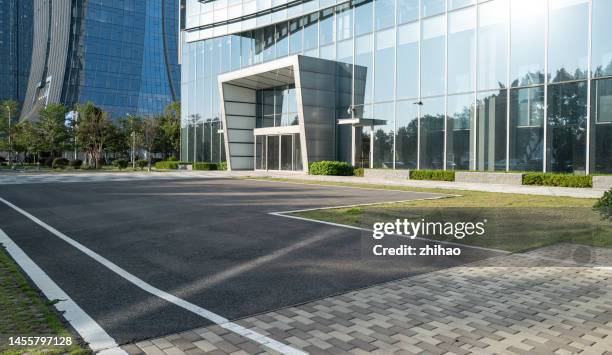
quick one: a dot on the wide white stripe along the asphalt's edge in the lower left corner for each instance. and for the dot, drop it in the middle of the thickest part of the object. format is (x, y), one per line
(89, 330)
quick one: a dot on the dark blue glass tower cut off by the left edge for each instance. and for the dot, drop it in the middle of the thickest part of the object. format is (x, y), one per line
(15, 48)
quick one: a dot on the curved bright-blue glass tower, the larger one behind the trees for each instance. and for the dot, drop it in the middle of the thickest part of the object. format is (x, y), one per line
(122, 55)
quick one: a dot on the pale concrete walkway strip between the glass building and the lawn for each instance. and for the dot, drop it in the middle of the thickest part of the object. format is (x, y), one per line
(514, 189)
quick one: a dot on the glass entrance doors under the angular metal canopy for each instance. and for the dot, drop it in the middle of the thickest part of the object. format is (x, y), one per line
(278, 152)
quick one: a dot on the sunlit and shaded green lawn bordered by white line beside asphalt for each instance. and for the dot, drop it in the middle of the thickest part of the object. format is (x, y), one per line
(514, 222)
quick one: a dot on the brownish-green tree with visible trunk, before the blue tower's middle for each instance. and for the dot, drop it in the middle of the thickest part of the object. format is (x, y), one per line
(93, 131)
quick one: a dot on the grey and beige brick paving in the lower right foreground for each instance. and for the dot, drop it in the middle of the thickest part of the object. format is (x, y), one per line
(536, 306)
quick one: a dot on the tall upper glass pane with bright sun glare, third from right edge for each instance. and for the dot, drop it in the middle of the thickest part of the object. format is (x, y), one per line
(528, 22)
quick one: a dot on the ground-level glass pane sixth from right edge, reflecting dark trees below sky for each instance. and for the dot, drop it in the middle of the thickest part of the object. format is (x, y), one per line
(432, 134)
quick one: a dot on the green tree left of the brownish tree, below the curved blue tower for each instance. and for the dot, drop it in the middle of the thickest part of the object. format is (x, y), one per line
(52, 127)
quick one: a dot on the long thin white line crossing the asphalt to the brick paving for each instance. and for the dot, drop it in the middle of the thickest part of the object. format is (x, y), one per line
(213, 317)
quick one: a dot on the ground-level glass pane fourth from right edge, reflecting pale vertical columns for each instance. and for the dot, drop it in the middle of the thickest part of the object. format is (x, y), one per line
(491, 112)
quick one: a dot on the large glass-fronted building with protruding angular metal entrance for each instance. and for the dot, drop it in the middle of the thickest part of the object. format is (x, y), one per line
(495, 85)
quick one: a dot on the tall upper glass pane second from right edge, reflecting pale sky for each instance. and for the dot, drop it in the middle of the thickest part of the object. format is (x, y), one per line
(568, 42)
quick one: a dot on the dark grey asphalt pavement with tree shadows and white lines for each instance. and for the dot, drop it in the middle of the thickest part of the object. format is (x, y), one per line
(209, 241)
